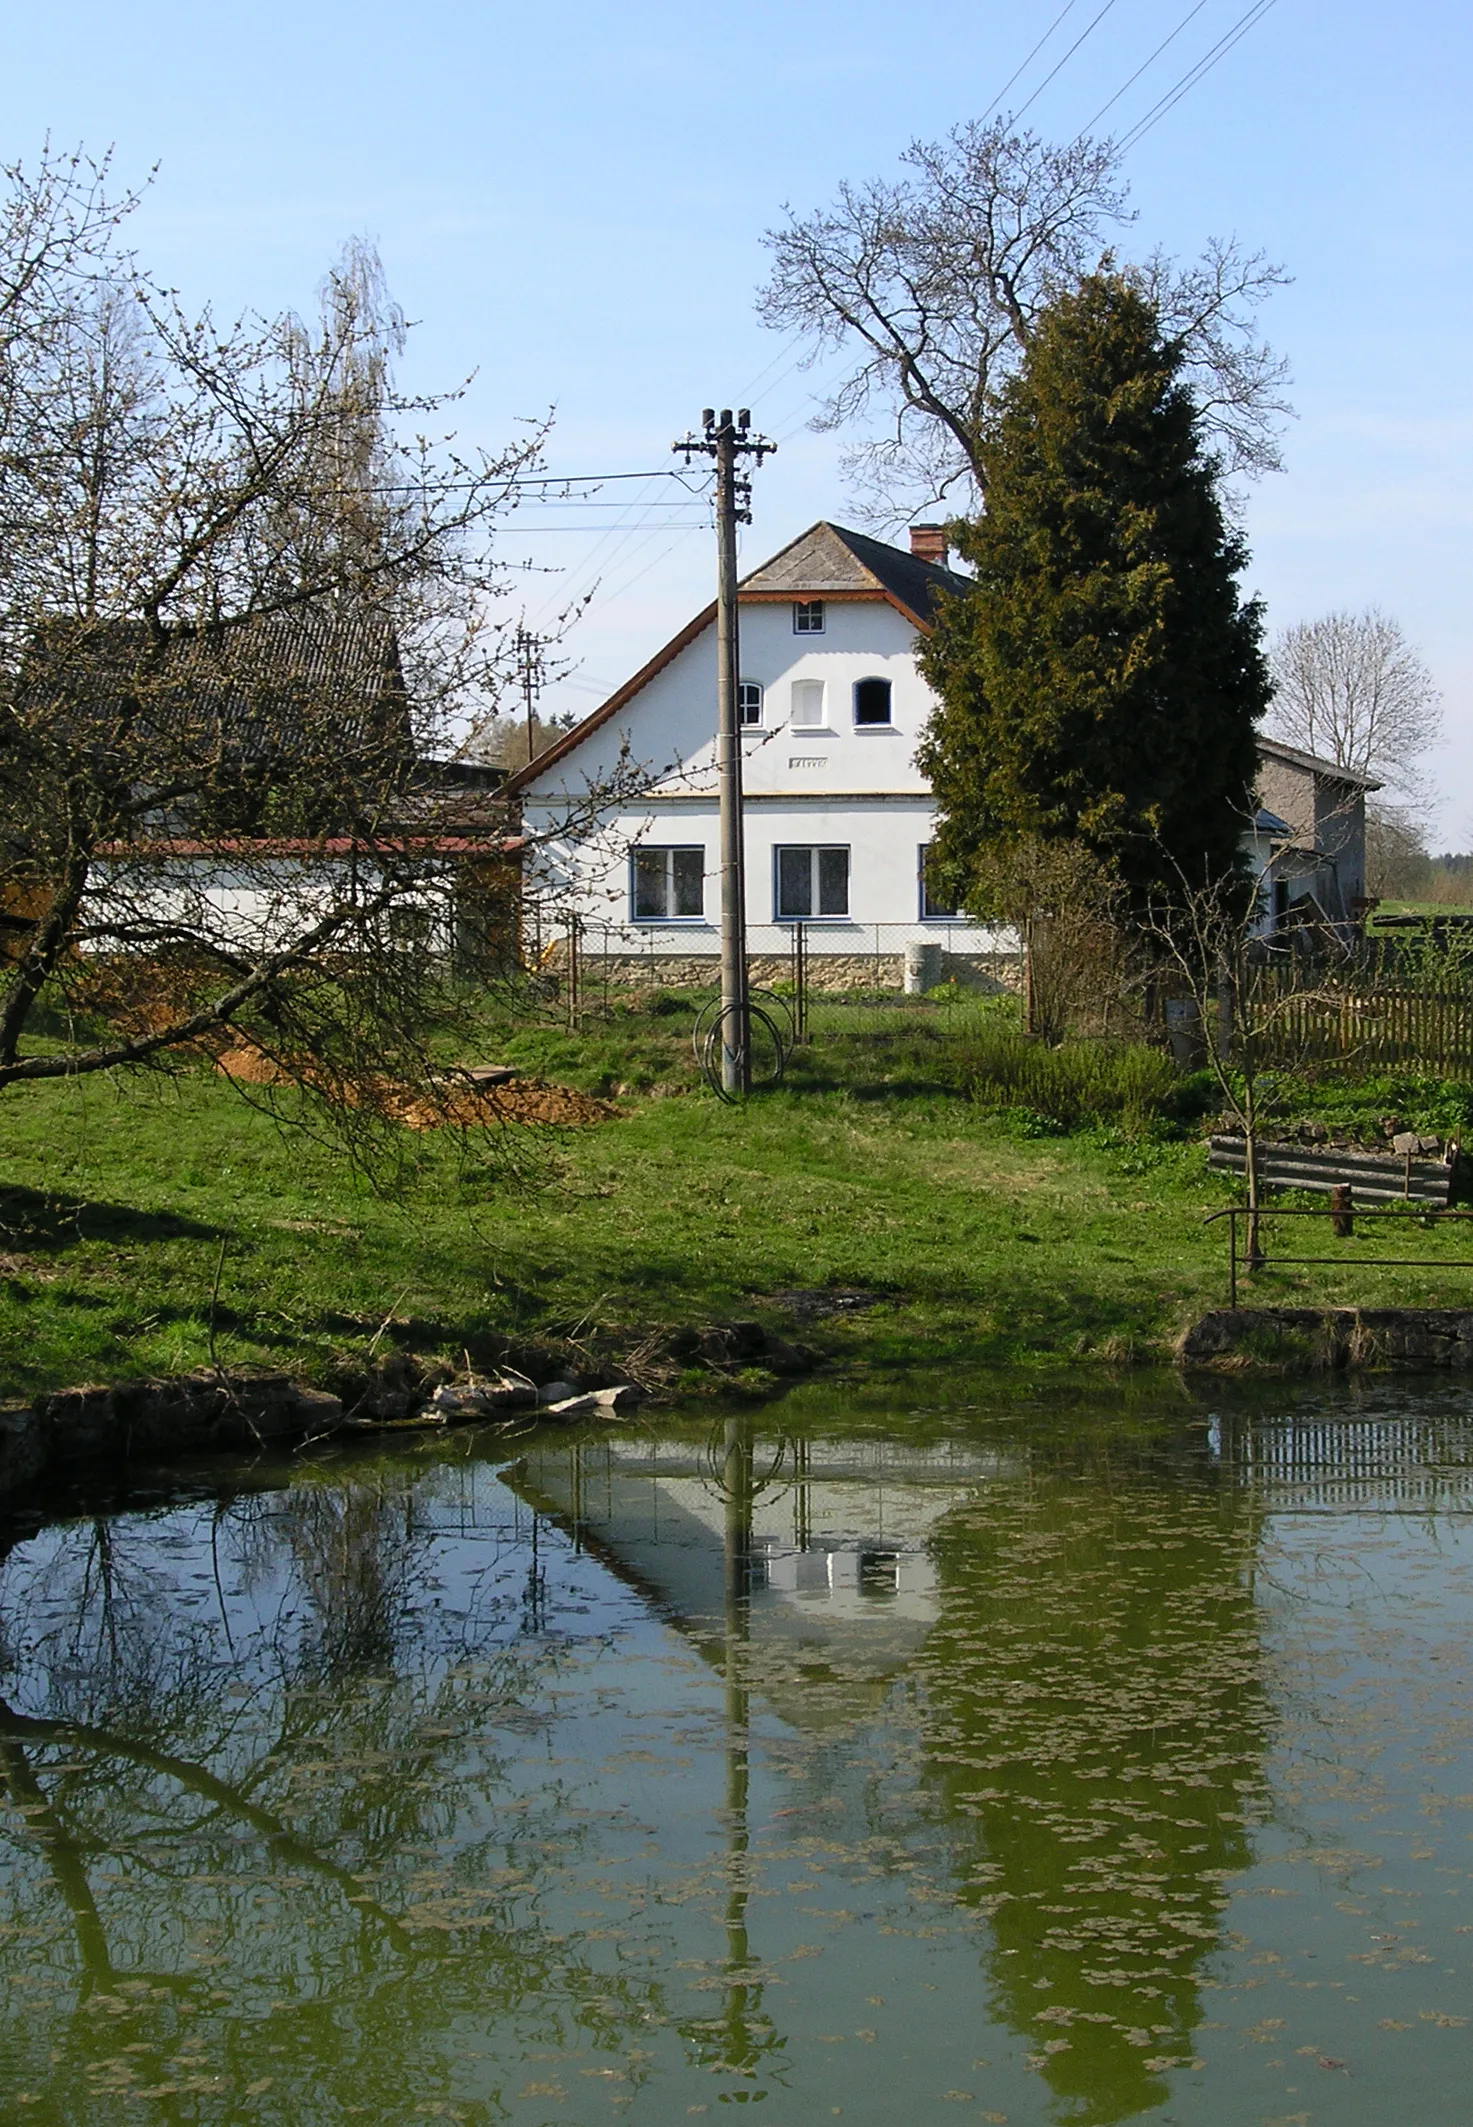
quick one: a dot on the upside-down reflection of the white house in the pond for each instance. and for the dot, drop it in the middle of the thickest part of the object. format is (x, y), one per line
(834, 1567)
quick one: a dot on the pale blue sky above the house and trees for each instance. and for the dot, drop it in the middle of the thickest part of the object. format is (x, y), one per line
(571, 203)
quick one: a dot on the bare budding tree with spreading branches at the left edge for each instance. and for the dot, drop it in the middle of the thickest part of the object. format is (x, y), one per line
(241, 603)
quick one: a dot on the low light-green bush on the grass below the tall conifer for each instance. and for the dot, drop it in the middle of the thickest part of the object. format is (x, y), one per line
(1074, 1084)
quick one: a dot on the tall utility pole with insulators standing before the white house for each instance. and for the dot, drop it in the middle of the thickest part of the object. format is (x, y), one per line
(728, 441)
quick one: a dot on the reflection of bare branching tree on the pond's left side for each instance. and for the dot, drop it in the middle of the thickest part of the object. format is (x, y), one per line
(303, 1794)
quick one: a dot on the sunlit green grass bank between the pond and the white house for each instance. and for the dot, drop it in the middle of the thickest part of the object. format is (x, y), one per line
(998, 1218)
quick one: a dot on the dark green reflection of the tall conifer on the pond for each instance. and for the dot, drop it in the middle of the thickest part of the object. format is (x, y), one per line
(1098, 1720)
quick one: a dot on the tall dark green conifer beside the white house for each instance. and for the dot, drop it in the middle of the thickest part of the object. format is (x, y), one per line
(1104, 680)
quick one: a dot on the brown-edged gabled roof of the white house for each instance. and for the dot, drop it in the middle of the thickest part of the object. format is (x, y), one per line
(822, 563)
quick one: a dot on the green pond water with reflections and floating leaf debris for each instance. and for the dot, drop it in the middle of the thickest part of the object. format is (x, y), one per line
(983, 1762)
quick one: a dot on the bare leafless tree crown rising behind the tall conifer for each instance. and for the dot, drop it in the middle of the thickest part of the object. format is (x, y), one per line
(934, 284)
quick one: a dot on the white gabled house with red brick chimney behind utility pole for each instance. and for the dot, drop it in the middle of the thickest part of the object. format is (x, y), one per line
(839, 816)
